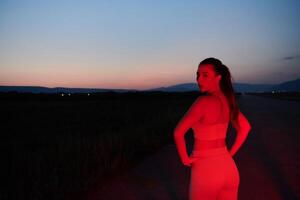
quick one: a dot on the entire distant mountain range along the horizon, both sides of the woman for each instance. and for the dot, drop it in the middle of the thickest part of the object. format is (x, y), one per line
(293, 85)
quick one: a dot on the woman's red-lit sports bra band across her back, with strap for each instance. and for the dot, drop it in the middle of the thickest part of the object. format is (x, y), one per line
(211, 131)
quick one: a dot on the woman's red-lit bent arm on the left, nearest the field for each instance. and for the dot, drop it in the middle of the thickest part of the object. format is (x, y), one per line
(195, 112)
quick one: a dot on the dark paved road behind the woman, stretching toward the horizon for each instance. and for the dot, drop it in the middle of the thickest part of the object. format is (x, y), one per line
(268, 161)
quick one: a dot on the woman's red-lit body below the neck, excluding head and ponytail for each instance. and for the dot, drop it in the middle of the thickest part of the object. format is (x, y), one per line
(214, 174)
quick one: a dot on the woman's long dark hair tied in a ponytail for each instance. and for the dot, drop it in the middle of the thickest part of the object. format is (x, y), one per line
(225, 85)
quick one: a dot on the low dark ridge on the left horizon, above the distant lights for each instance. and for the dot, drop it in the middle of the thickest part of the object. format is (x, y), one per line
(37, 89)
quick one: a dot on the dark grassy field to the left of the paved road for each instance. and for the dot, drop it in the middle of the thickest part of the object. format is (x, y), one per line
(55, 147)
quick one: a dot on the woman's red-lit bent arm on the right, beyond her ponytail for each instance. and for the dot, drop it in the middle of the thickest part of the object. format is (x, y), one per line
(242, 128)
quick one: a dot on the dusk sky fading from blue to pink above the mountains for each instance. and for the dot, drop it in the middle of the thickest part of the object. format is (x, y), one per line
(145, 44)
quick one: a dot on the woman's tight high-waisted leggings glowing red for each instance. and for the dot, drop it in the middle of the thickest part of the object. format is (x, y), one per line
(214, 175)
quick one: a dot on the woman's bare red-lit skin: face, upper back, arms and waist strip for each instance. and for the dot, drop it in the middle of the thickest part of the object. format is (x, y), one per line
(204, 110)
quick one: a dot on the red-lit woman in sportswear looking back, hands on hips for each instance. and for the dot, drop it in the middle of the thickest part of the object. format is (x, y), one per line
(214, 174)
